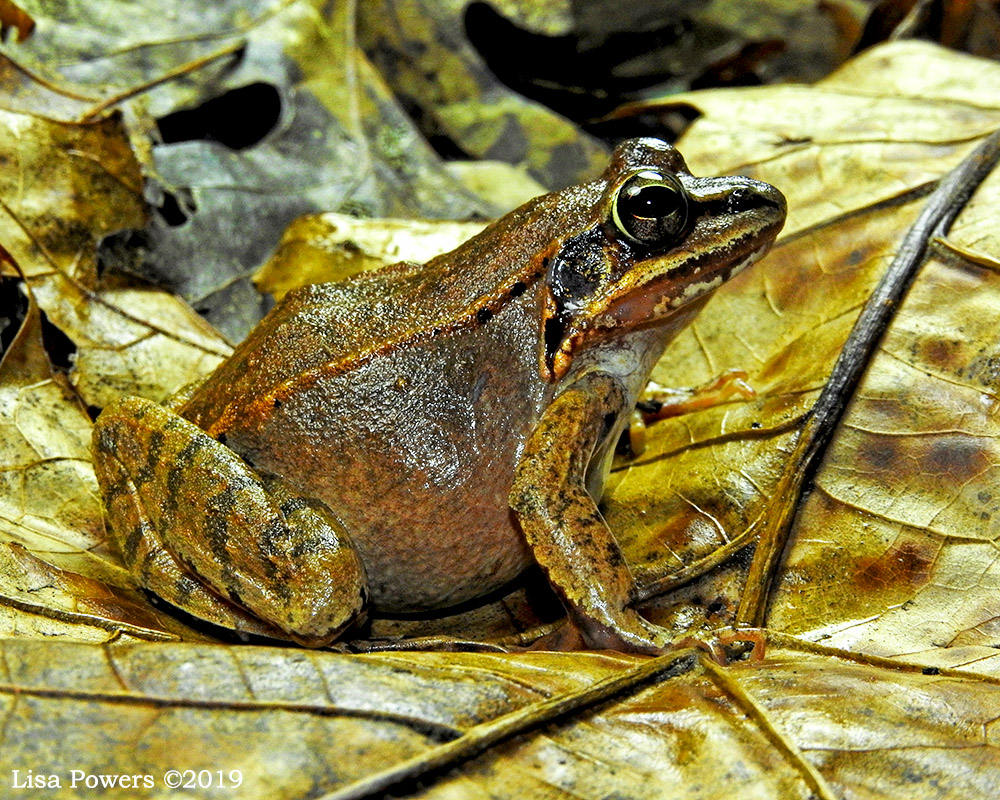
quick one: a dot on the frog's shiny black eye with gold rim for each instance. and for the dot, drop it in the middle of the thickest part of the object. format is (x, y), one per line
(651, 208)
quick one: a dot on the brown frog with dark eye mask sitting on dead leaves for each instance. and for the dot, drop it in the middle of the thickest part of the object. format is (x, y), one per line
(414, 438)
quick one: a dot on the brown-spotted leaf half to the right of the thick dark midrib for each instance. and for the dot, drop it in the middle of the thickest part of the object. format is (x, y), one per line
(913, 467)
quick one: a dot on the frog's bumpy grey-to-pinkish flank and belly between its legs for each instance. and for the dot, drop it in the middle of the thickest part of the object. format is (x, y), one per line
(420, 477)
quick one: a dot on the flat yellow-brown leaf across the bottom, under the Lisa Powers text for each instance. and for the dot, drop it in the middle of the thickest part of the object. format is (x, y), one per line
(797, 725)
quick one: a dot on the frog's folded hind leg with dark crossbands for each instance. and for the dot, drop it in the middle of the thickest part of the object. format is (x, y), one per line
(181, 503)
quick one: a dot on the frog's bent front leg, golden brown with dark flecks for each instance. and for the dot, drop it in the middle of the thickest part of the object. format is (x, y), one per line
(563, 526)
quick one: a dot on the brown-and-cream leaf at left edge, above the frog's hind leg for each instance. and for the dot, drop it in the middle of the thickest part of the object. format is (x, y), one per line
(68, 185)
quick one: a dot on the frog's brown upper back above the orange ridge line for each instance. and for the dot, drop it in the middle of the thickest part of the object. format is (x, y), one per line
(336, 327)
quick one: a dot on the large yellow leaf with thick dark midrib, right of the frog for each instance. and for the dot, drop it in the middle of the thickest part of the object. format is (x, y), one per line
(894, 551)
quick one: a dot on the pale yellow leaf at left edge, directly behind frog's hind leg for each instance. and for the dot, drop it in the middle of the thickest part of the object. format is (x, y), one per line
(57, 577)
